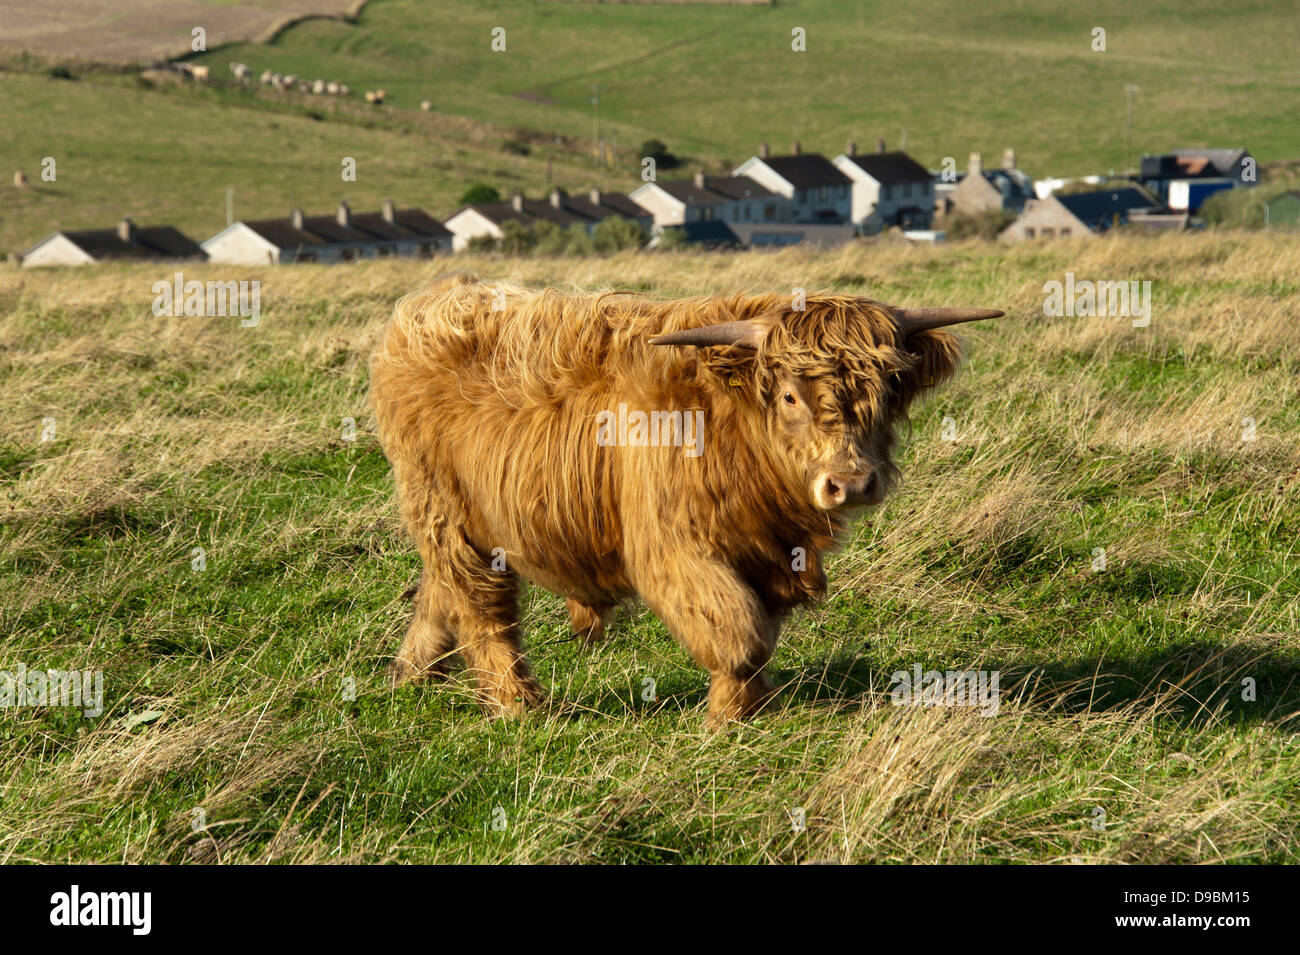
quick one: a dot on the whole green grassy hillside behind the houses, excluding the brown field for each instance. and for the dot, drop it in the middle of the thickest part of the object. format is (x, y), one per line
(712, 81)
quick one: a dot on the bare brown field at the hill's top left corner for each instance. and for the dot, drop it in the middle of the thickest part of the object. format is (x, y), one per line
(137, 32)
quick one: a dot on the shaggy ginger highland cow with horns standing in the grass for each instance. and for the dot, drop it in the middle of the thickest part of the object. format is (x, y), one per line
(497, 410)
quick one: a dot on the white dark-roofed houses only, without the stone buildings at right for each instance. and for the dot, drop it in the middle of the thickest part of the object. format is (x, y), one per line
(768, 201)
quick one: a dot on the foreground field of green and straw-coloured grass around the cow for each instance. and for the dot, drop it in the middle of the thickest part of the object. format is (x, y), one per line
(1123, 688)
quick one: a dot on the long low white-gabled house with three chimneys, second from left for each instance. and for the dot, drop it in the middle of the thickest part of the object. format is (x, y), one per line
(339, 238)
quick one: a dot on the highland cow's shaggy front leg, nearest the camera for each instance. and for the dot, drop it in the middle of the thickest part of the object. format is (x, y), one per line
(723, 626)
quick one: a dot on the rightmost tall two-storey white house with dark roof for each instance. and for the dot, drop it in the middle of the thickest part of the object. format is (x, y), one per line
(890, 189)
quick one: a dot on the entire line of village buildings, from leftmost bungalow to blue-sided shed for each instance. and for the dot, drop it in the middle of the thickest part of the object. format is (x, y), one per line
(768, 201)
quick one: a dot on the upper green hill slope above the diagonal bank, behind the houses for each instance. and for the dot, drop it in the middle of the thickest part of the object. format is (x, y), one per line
(716, 80)
